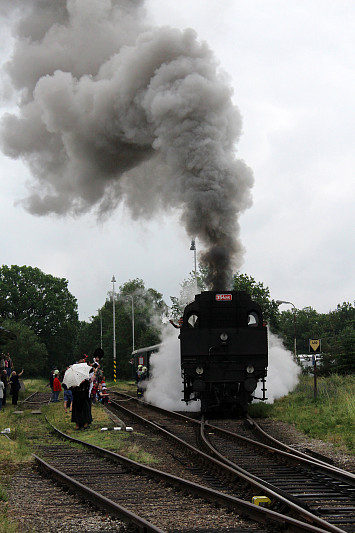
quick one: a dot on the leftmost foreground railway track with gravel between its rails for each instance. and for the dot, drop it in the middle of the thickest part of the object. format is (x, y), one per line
(152, 500)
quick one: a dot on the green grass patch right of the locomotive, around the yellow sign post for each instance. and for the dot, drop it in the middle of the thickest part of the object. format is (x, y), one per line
(330, 416)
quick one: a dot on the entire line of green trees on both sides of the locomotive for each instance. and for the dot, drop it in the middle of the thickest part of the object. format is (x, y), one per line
(42, 316)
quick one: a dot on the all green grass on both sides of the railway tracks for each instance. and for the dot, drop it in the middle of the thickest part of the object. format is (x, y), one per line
(330, 417)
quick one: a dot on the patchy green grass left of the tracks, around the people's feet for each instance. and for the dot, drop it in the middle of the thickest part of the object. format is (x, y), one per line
(27, 430)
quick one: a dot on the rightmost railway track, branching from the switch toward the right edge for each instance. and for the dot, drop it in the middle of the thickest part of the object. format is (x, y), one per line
(322, 489)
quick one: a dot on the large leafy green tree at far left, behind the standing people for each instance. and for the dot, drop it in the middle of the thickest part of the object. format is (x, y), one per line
(44, 304)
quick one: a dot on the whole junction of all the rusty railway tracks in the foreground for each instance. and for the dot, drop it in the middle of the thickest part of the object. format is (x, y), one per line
(208, 482)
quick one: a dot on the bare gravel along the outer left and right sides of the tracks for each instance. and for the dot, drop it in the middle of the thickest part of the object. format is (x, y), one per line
(41, 507)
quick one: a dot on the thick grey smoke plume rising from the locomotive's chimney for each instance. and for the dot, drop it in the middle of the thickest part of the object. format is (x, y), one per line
(112, 110)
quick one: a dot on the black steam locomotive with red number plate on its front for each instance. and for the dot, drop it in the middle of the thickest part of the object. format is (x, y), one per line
(224, 351)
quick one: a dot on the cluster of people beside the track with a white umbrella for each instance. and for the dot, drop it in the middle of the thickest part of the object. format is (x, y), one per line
(78, 399)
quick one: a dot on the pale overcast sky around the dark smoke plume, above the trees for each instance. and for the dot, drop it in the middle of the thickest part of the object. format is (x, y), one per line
(292, 70)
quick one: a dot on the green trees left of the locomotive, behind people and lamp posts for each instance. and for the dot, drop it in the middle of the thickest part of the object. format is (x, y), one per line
(42, 316)
